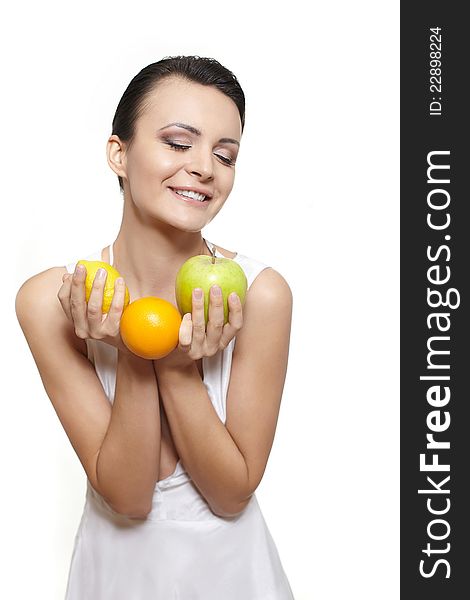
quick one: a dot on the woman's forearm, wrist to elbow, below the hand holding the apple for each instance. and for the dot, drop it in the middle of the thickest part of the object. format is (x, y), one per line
(207, 450)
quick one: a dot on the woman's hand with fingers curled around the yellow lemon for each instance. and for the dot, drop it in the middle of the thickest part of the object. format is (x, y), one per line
(87, 317)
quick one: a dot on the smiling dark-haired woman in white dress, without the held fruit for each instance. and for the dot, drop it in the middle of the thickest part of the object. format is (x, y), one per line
(174, 448)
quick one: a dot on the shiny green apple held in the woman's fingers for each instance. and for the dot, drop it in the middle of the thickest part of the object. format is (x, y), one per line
(203, 272)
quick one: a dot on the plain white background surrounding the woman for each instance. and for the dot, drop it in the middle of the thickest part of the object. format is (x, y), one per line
(316, 197)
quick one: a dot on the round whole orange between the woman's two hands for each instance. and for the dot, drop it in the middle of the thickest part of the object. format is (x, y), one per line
(150, 327)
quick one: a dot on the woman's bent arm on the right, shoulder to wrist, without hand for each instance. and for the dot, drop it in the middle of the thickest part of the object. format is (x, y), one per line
(227, 462)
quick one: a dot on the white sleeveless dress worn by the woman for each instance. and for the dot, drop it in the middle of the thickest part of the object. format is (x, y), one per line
(182, 550)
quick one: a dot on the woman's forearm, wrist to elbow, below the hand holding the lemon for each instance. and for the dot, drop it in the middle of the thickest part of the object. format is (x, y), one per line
(129, 459)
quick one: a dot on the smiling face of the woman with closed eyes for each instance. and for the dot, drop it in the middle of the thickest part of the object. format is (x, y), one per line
(186, 139)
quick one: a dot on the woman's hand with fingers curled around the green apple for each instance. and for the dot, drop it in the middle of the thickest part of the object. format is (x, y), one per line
(195, 339)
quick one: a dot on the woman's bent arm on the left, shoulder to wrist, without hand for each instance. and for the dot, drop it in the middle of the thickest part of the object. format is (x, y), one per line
(118, 445)
